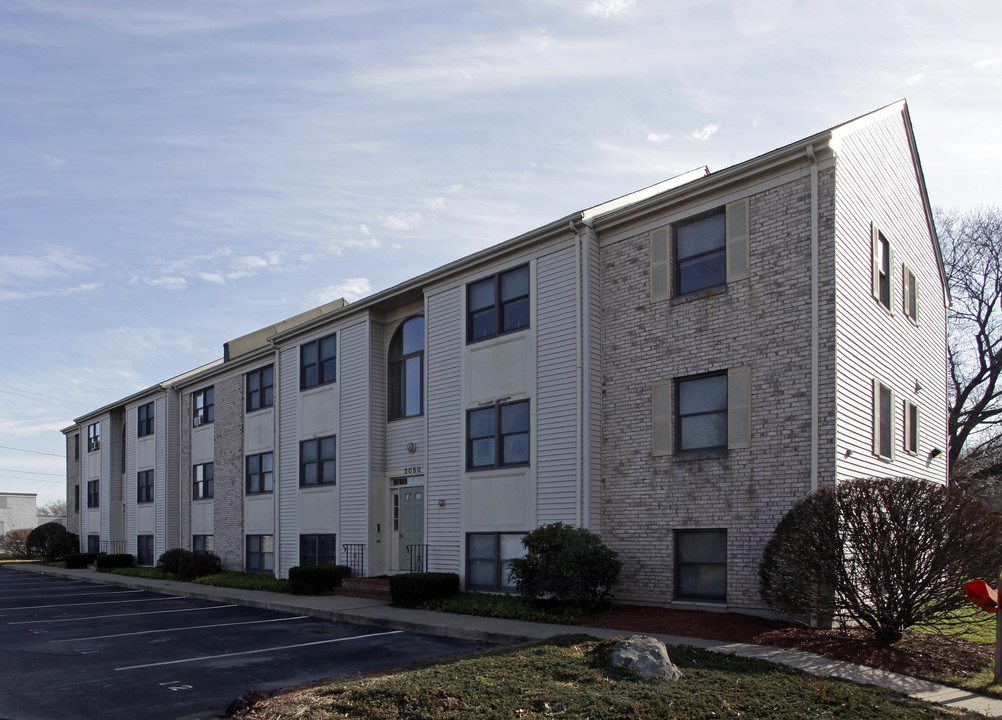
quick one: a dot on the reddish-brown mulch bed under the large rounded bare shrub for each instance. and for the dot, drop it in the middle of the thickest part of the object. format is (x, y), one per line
(917, 654)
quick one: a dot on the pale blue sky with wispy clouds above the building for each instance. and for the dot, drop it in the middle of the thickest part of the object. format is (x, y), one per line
(175, 175)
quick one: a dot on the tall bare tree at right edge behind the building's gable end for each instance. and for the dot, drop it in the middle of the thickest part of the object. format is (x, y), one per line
(972, 256)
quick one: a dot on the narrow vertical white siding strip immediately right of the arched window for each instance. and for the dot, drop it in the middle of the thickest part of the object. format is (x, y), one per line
(446, 334)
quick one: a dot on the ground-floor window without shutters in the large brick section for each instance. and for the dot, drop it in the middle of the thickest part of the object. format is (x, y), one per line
(702, 565)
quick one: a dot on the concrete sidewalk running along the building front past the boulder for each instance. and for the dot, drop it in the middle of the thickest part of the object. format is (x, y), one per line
(494, 630)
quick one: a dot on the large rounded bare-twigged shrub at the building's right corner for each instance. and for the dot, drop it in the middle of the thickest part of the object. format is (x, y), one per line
(886, 553)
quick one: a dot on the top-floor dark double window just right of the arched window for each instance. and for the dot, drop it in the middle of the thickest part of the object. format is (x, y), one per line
(498, 305)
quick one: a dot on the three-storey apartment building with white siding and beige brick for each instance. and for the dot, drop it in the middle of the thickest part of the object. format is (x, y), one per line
(673, 370)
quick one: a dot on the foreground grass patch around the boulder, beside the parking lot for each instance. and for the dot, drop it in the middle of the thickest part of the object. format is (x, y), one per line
(560, 678)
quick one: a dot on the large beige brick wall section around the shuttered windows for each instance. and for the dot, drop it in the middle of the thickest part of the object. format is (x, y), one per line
(764, 324)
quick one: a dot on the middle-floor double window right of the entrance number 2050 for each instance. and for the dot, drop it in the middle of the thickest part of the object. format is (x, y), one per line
(498, 436)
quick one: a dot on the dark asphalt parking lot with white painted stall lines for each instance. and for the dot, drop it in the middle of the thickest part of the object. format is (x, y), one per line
(75, 649)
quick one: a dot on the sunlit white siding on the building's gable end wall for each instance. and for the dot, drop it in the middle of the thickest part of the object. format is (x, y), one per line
(870, 342)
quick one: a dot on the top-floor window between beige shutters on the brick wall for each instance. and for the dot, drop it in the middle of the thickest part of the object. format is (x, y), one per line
(701, 254)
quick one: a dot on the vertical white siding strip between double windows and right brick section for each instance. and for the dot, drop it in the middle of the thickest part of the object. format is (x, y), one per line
(558, 387)
